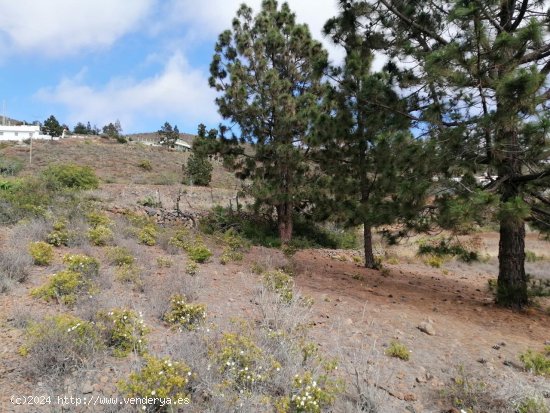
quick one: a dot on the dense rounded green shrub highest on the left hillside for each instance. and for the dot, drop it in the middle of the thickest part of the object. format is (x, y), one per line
(71, 176)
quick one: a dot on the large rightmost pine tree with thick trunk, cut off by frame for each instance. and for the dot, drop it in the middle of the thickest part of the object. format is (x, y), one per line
(476, 84)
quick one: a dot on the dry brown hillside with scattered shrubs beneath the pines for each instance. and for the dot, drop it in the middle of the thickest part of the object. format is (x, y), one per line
(461, 349)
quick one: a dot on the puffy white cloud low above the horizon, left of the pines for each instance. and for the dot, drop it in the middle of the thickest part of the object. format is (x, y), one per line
(178, 92)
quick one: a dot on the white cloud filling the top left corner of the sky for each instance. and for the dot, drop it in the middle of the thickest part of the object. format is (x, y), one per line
(64, 27)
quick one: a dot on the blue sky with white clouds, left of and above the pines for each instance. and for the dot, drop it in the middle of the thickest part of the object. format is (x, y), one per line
(143, 62)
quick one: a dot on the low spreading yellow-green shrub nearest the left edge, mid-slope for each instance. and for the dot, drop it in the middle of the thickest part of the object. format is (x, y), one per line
(63, 286)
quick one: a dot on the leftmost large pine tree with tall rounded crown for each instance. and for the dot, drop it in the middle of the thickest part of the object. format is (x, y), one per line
(269, 70)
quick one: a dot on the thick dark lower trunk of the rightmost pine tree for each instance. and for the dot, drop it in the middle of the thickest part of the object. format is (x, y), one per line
(512, 280)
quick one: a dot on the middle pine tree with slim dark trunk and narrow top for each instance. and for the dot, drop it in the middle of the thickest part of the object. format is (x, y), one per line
(374, 167)
